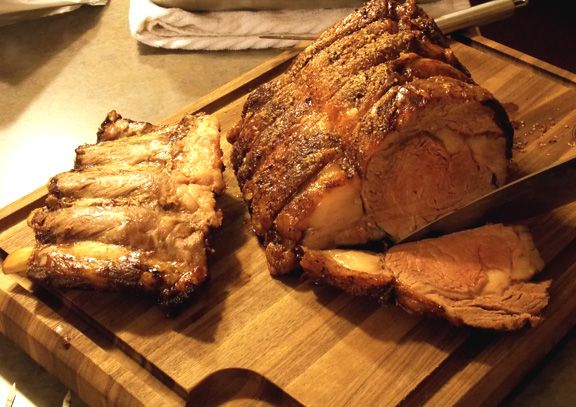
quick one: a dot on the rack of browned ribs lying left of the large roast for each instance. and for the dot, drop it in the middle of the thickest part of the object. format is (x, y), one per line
(135, 212)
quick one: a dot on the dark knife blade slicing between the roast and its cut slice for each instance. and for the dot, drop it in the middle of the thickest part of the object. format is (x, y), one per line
(539, 192)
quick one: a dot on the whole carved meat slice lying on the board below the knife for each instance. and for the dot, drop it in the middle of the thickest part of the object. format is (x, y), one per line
(478, 277)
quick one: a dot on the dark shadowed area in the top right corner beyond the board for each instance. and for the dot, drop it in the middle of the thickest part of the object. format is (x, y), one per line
(544, 29)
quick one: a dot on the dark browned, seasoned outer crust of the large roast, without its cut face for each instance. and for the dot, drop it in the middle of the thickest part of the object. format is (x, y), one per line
(361, 80)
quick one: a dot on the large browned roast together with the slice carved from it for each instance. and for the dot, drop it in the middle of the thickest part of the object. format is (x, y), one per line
(373, 131)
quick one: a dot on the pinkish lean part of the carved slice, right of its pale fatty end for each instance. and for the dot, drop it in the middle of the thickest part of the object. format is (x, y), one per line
(477, 277)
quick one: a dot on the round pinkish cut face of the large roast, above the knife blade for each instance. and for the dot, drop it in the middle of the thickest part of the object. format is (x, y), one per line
(445, 150)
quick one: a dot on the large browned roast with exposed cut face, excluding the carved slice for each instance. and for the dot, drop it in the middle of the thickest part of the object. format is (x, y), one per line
(377, 113)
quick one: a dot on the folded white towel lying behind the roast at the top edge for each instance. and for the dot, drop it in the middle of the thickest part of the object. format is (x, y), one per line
(175, 28)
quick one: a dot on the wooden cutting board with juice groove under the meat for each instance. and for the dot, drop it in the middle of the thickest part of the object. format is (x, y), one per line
(249, 339)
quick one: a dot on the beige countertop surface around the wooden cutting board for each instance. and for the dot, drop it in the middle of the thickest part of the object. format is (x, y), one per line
(59, 77)
